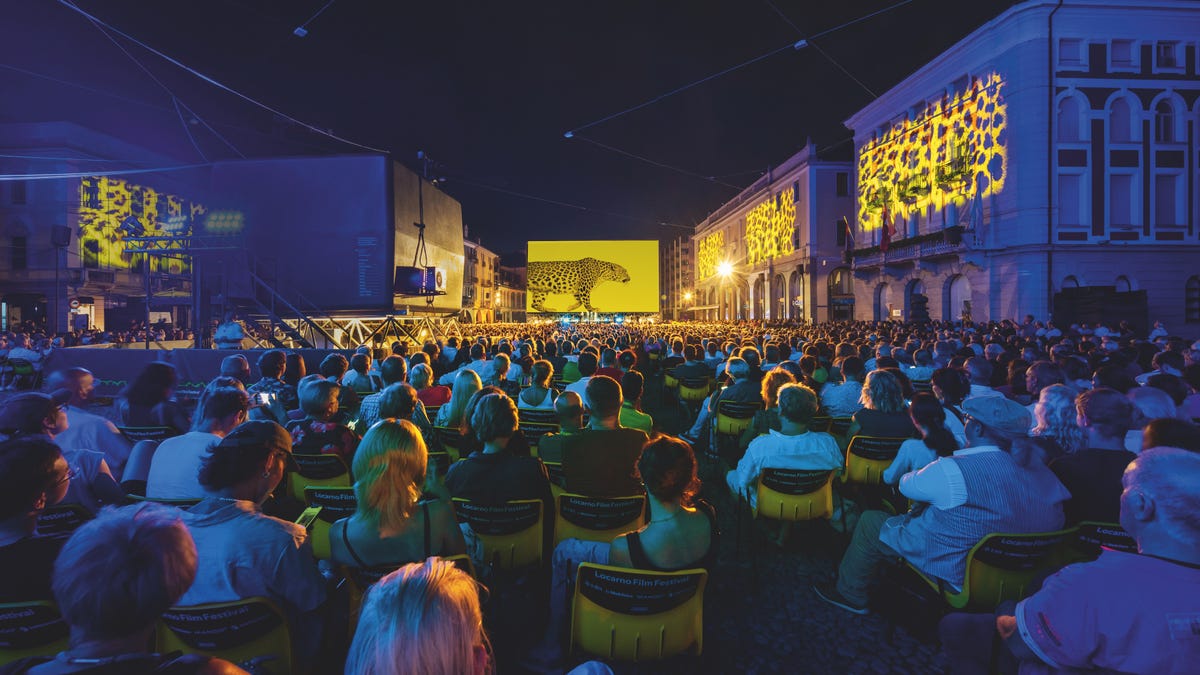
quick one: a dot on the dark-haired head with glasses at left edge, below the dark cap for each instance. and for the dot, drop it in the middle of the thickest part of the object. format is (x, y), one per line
(33, 476)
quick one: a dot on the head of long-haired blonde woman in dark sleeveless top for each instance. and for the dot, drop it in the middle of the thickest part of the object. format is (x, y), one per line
(389, 471)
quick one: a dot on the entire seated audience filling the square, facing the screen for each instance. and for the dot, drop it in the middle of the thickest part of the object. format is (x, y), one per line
(999, 428)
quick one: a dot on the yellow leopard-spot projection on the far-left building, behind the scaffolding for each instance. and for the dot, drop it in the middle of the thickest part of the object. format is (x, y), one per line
(112, 210)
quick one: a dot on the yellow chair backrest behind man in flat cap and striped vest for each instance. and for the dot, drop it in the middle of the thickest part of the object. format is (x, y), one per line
(1001, 568)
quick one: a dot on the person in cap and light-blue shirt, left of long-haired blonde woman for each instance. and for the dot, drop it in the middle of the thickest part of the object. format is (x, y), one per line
(244, 553)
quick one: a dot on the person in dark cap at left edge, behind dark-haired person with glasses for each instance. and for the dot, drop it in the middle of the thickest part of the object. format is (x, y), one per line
(33, 414)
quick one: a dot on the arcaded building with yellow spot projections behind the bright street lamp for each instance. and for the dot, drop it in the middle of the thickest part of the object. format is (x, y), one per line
(773, 252)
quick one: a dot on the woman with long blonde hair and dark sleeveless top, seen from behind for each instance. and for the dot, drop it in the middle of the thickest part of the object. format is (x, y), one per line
(391, 480)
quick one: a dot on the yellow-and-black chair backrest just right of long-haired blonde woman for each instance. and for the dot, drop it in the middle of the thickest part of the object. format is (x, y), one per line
(512, 533)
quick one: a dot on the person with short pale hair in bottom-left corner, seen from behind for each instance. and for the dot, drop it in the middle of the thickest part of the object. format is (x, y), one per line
(113, 581)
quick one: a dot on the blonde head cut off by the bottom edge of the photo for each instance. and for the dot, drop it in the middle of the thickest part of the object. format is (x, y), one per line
(424, 618)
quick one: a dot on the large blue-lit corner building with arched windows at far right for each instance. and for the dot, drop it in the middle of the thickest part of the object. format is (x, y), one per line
(1051, 153)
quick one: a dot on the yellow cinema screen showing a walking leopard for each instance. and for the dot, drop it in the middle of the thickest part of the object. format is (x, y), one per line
(604, 277)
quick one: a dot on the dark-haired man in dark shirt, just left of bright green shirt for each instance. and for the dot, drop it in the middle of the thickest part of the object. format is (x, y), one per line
(601, 462)
